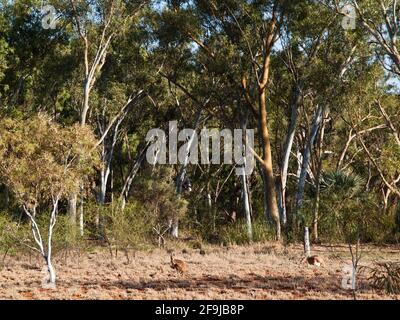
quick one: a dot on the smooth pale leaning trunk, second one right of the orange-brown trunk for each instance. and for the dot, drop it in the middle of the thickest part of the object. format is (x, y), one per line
(318, 117)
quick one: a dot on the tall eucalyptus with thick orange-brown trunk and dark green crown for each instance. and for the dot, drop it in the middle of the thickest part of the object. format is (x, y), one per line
(233, 43)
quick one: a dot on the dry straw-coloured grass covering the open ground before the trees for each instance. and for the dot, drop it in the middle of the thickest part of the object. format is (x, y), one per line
(253, 272)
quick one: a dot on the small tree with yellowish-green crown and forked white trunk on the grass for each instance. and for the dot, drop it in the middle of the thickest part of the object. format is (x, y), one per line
(41, 163)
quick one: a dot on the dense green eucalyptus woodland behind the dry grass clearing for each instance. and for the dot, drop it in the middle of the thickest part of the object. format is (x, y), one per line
(77, 101)
